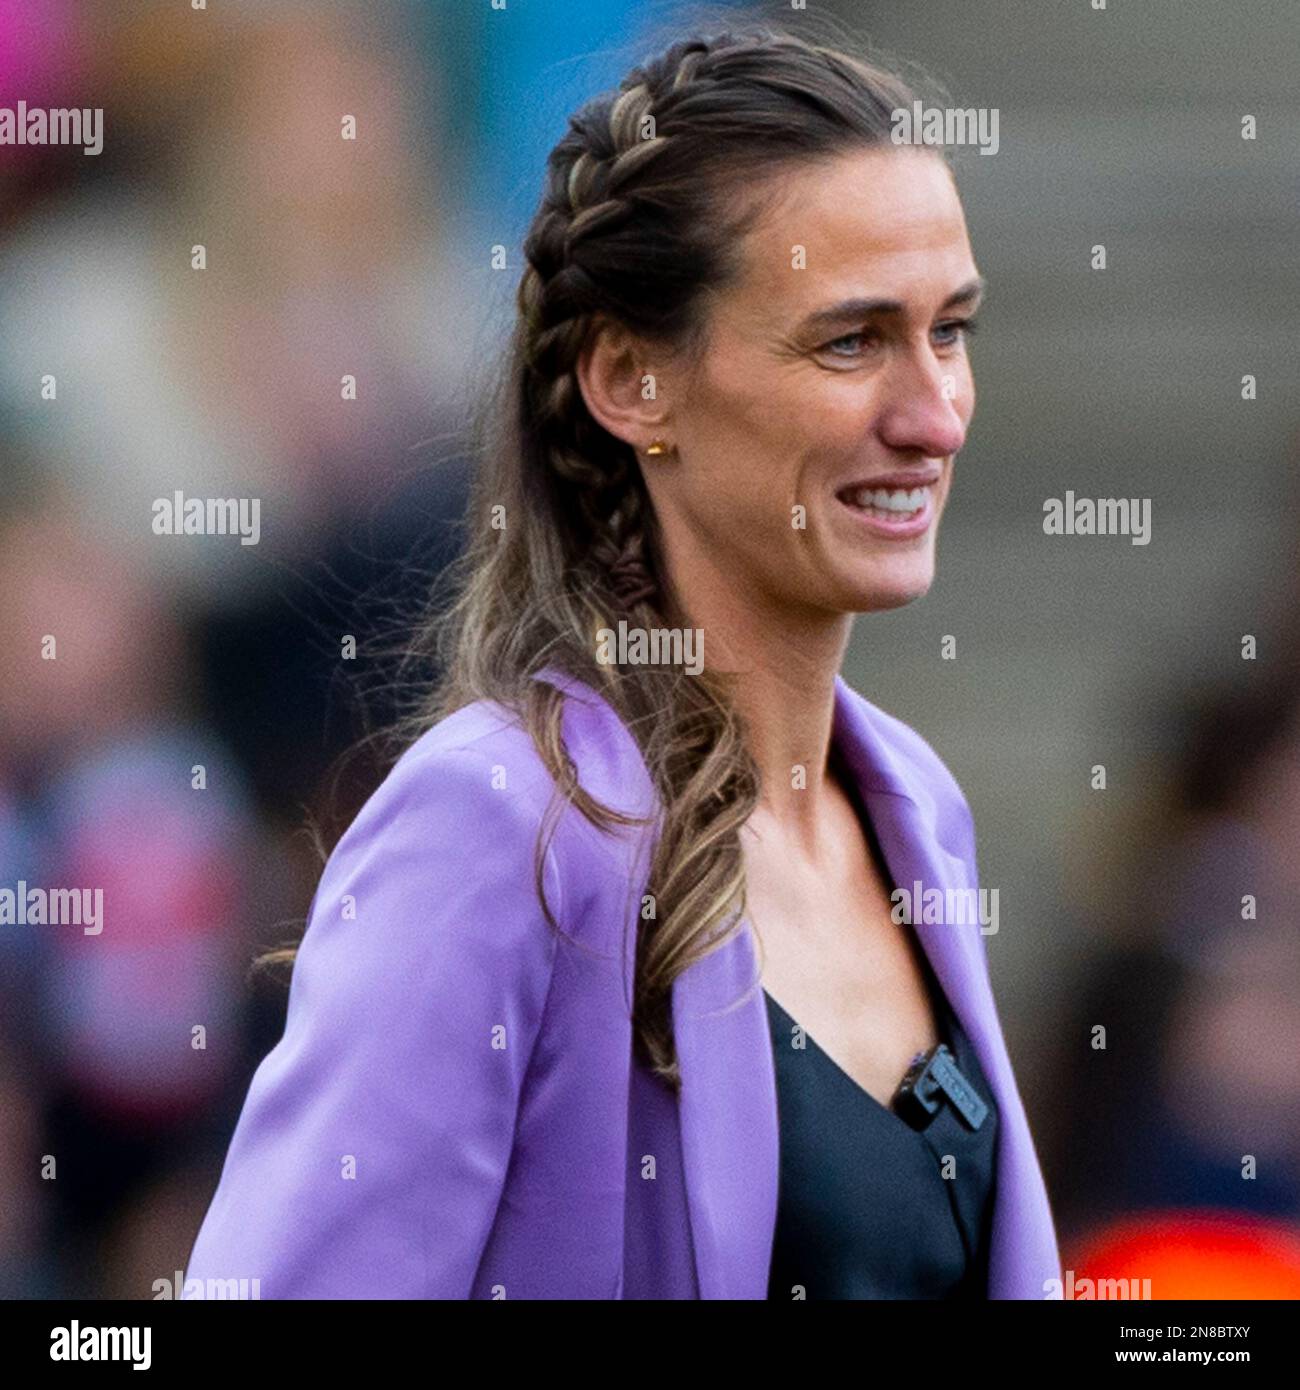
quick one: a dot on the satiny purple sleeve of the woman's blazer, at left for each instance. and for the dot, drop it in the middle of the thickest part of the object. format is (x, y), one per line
(373, 1146)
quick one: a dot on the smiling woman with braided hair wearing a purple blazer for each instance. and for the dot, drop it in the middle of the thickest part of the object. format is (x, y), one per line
(551, 1028)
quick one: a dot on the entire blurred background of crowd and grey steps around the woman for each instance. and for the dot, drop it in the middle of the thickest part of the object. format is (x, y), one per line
(1173, 1153)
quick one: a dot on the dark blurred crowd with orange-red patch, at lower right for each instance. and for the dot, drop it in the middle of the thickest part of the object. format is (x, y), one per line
(1171, 1132)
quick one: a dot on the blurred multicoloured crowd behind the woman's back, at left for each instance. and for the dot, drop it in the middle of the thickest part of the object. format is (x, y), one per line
(173, 710)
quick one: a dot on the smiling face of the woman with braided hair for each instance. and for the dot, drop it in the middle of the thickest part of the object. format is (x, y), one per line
(815, 437)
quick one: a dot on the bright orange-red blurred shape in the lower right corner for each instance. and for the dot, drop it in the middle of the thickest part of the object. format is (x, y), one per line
(1196, 1254)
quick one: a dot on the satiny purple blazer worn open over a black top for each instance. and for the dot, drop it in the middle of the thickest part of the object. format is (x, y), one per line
(454, 1110)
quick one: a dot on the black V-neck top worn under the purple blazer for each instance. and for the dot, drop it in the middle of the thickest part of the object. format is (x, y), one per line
(864, 1209)
